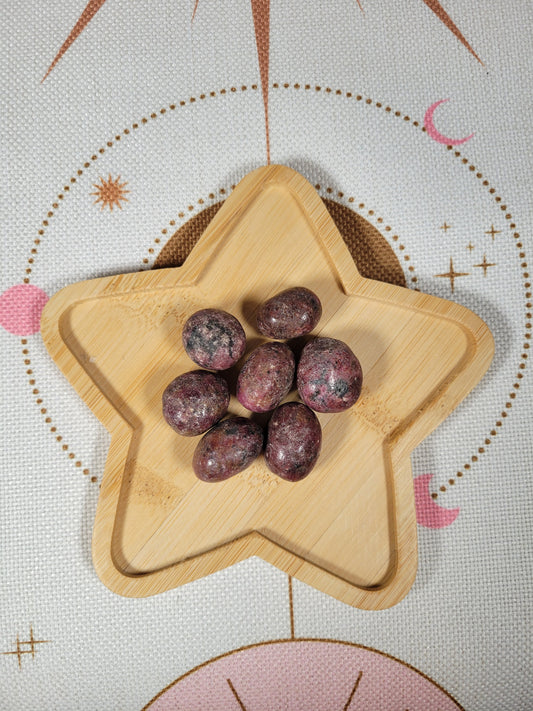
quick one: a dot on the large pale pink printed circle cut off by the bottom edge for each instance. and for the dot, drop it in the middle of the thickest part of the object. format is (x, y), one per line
(298, 675)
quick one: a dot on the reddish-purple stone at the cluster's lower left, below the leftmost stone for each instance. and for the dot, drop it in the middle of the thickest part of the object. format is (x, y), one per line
(228, 448)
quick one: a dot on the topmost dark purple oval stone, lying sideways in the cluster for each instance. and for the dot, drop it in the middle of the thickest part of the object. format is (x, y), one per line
(289, 314)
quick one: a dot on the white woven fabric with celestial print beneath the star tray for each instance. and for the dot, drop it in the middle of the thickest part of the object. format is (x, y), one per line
(170, 112)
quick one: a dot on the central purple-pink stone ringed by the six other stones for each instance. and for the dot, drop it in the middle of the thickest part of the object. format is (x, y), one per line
(266, 377)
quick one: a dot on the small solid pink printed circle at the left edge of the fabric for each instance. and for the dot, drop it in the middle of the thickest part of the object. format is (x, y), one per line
(20, 309)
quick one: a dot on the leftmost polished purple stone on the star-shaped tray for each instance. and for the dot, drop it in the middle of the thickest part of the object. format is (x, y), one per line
(194, 401)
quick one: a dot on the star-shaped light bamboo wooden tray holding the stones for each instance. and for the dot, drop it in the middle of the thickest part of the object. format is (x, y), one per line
(349, 528)
